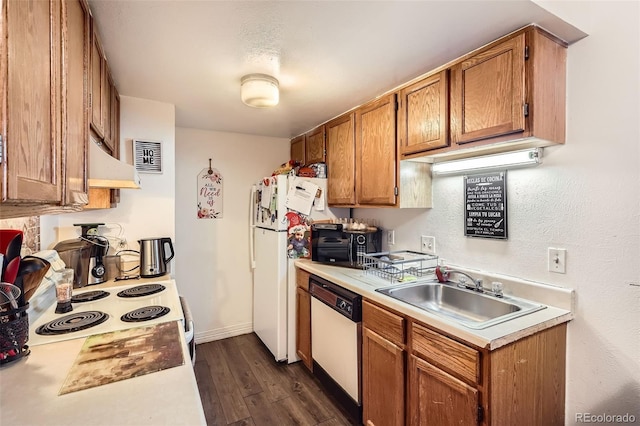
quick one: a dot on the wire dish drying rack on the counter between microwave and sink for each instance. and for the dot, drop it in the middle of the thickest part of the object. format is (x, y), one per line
(403, 265)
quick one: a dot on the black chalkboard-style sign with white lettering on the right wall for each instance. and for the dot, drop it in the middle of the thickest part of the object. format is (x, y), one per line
(485, 200)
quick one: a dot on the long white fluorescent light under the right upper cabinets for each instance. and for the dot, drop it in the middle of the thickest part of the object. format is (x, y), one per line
(508, 160)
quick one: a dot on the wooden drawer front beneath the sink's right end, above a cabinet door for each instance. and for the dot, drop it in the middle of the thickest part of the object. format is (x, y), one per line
(458, 359)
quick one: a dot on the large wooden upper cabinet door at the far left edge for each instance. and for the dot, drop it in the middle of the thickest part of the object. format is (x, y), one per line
(31, 55)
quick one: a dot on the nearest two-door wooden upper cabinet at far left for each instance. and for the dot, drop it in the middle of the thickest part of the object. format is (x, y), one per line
(43, 55)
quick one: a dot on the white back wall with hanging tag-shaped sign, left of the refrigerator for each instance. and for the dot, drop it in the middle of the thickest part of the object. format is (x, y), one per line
(213, 266)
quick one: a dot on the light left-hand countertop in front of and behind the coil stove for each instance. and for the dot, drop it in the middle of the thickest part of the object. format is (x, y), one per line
(29, 390)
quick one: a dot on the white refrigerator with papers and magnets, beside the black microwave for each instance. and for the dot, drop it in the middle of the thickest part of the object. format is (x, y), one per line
(274, 284)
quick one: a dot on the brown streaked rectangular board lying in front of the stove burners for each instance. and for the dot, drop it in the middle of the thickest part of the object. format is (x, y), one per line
(120, 355)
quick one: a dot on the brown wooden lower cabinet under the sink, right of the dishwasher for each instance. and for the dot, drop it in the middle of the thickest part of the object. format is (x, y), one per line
(416, 375)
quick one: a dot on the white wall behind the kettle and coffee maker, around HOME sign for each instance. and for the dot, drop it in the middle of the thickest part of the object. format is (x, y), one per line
(143, 213)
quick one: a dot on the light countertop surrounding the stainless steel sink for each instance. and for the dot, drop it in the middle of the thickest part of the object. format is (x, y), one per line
(558, 301)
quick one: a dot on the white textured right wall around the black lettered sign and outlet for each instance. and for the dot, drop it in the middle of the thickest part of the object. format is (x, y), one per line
(585, 198)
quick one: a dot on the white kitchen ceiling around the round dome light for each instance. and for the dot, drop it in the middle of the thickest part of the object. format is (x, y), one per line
(329, 56)
